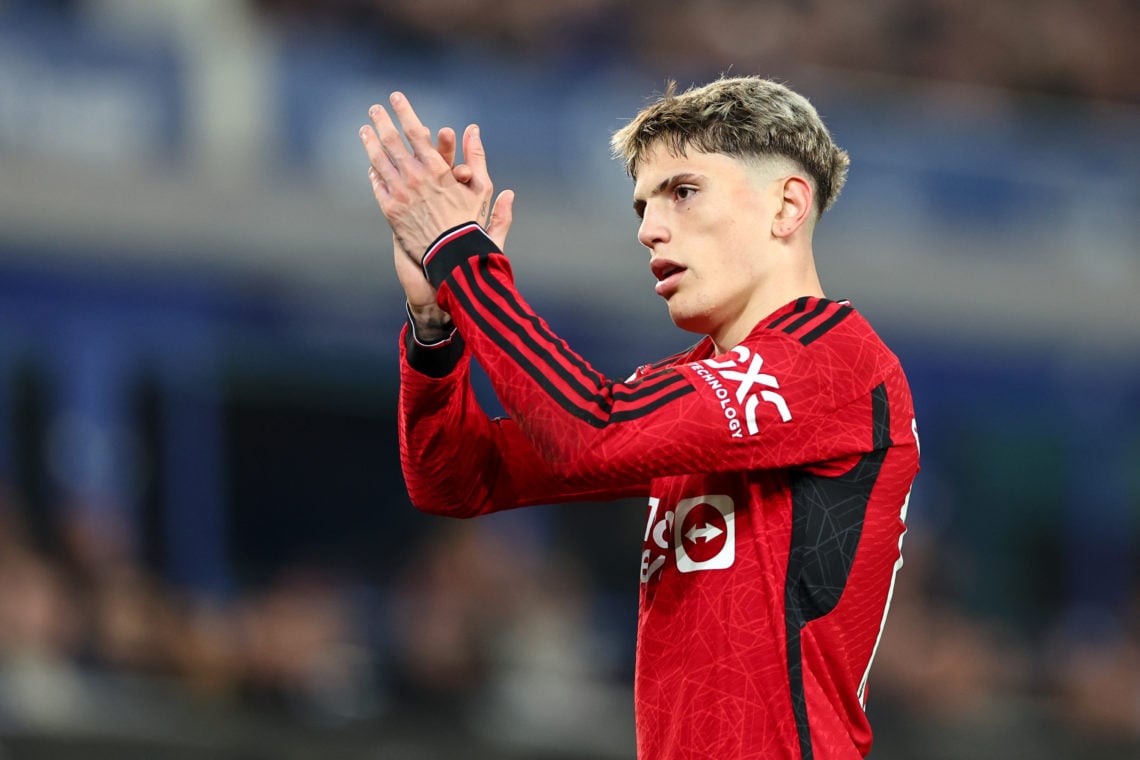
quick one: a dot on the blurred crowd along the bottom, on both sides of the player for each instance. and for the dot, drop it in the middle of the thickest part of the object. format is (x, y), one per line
(482, 632)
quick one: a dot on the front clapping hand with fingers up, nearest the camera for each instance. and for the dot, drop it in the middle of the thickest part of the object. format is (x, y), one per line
(417, 190)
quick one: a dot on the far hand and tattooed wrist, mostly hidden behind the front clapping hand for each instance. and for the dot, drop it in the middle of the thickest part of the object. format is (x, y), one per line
(433, 323)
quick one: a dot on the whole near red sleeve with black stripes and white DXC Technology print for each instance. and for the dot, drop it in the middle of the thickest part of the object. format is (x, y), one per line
(761, 406)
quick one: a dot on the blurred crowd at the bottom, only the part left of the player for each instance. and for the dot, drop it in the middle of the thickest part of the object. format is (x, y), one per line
(477, 631)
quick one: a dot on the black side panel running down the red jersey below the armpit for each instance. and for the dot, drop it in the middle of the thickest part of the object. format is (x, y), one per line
(828, 517)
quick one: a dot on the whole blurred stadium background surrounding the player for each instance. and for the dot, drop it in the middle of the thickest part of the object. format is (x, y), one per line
(206, 546)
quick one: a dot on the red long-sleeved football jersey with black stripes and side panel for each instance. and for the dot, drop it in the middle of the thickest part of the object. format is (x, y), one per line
(778, 478)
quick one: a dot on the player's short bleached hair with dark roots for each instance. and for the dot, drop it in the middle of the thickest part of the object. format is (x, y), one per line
(743, 117)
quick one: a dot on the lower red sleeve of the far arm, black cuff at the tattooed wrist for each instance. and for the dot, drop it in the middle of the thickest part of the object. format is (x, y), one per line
(458, 461)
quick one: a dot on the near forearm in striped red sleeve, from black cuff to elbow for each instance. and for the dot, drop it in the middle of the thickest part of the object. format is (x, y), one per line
(585, 428)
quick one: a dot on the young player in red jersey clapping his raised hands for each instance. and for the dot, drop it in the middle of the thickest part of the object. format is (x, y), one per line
(777, 455)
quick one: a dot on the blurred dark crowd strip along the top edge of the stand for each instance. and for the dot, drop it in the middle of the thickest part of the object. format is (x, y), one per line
(1051, 47)
